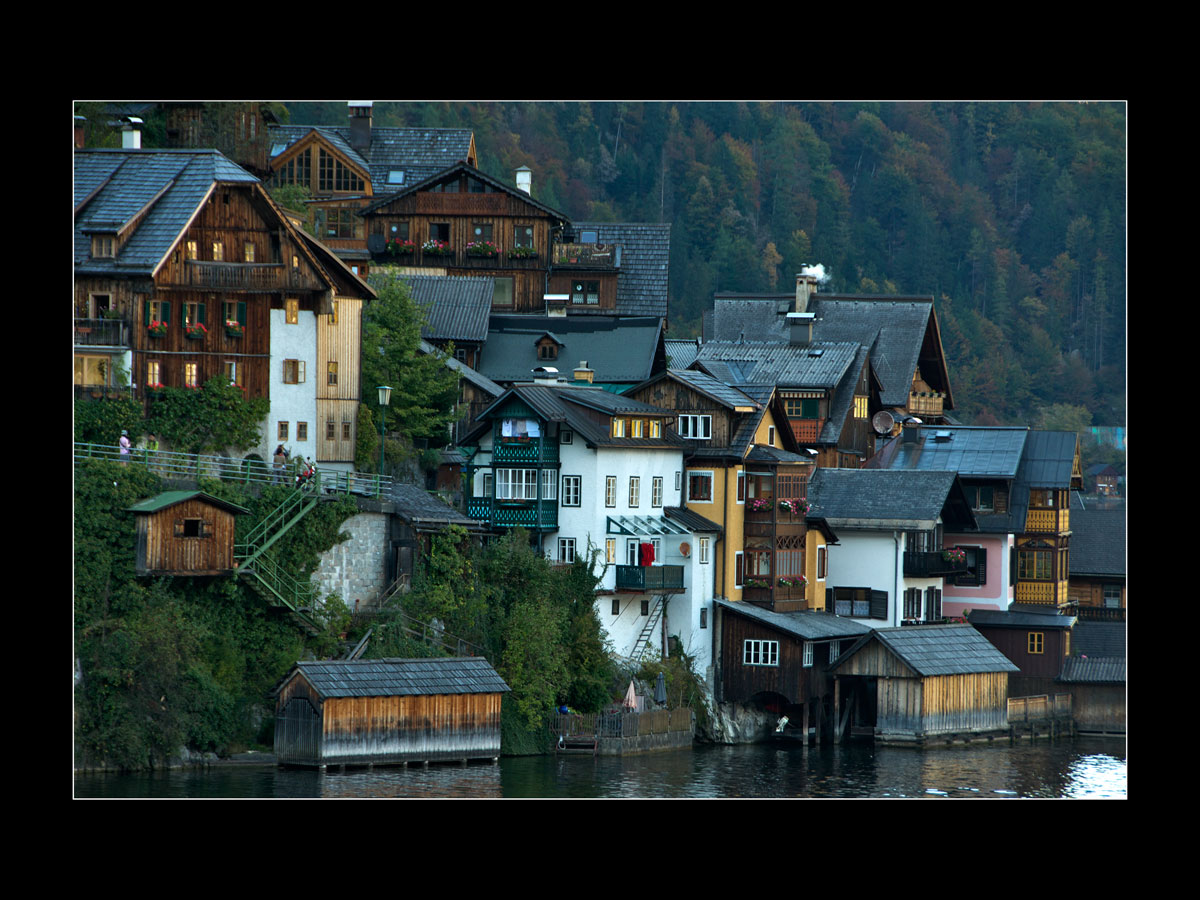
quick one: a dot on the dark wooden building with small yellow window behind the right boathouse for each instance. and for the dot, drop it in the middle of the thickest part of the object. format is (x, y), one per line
(1036, 640)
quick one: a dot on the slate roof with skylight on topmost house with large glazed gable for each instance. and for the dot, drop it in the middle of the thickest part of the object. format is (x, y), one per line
(418, 153)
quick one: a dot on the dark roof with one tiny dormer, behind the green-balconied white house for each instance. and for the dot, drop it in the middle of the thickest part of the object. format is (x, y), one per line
(620, 351)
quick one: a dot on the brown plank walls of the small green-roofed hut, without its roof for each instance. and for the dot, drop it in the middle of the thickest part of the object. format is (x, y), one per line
(163, 549)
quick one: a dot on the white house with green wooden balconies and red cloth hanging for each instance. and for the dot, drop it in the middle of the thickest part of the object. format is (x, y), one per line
(583, 469)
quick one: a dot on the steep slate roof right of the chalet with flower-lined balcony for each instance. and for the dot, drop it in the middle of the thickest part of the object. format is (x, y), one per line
(645, 265)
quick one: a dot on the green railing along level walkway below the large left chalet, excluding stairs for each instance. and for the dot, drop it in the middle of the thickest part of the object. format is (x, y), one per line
(190, 467)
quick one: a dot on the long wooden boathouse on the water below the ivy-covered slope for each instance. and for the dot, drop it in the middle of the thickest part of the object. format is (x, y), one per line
(388, 712)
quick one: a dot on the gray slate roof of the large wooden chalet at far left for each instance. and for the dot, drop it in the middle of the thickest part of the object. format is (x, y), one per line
(115, 187)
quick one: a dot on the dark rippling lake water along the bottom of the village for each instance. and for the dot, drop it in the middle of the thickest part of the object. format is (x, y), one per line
(1085, 769)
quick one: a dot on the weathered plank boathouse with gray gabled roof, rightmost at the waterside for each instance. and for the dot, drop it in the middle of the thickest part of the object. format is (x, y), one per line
(928, 681)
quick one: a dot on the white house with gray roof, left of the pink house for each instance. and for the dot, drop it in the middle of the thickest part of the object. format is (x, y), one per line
(889, 567)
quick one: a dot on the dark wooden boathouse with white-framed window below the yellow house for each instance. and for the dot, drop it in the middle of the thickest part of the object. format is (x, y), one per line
(782, 662)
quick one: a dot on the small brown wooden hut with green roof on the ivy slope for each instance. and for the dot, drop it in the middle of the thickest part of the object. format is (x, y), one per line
(185, 533)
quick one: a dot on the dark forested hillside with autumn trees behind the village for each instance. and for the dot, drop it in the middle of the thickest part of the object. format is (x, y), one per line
(1012, 215)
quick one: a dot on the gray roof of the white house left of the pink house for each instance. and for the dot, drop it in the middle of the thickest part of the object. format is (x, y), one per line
(885, 499)
